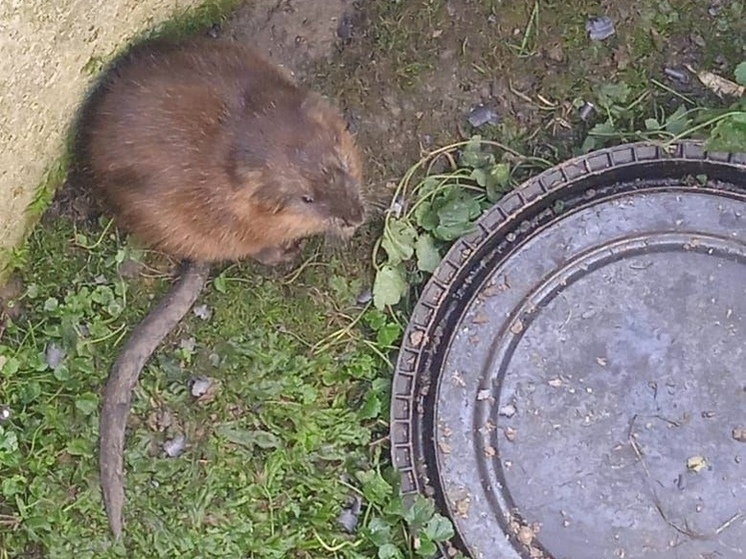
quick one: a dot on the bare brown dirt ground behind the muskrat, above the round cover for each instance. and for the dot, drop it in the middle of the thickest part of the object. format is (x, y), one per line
(408, 73)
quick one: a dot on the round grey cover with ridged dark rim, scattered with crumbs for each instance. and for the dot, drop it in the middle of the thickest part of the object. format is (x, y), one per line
(572, 384)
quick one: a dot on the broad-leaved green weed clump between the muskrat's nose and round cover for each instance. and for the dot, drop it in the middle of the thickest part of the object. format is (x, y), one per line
(433, 208)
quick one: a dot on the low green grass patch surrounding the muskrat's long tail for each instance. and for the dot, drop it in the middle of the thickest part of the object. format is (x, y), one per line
(274, 450)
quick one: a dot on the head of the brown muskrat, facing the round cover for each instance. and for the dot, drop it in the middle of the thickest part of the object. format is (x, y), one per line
(305, 169)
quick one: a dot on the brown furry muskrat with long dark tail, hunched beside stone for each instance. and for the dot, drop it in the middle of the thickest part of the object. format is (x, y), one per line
(207, 152)
